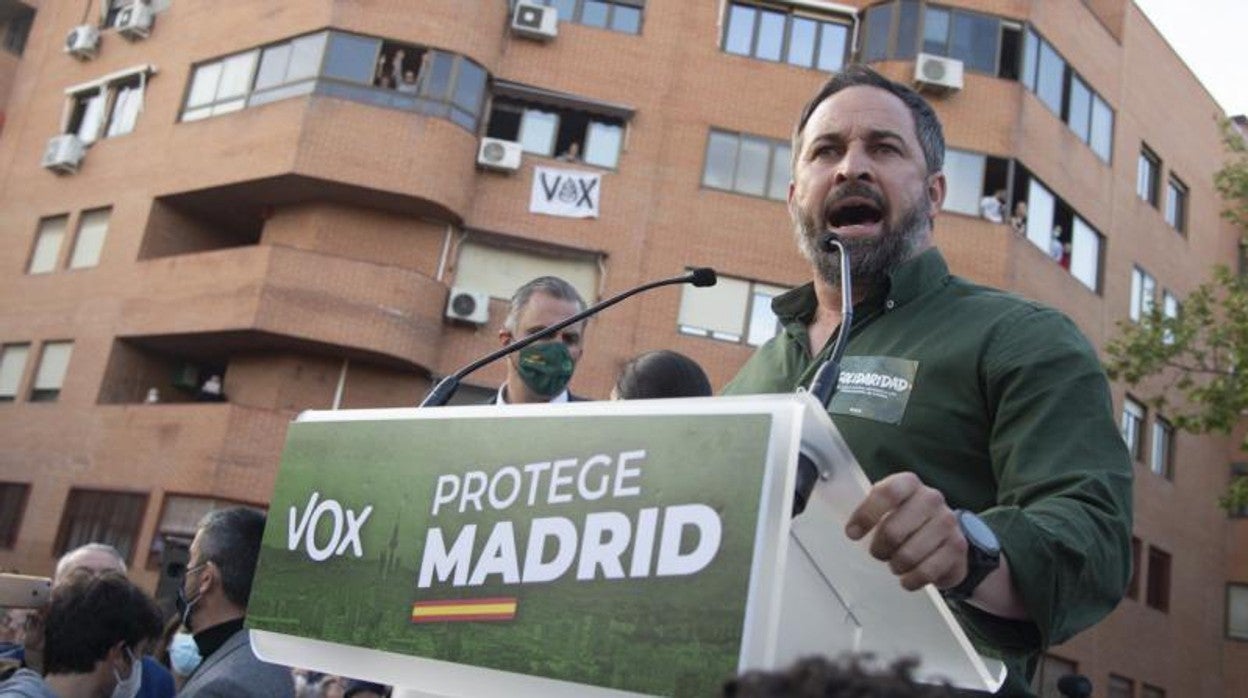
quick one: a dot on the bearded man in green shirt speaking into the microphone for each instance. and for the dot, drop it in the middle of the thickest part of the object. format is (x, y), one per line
(984, 420)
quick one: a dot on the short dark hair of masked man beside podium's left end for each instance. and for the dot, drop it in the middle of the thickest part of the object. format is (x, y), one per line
(230, 539)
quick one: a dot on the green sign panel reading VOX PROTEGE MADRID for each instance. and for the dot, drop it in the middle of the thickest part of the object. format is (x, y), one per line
(612, 551)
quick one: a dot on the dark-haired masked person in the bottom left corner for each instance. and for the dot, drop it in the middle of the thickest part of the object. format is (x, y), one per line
(94, 629)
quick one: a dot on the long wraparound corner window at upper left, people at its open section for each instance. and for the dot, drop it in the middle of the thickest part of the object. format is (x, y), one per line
(346, 67)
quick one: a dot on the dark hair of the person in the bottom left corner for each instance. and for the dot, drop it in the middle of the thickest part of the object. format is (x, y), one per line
(89, 614)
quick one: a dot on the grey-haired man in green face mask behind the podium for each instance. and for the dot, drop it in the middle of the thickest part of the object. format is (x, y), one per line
(541, 371)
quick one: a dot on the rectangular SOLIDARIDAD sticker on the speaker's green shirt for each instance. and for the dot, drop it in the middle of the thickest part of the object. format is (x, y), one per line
(875, 388)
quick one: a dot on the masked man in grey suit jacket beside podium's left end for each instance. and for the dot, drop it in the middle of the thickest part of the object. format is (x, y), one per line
(214, 601)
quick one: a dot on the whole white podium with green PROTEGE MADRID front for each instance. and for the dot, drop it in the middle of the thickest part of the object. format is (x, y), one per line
(580, 550)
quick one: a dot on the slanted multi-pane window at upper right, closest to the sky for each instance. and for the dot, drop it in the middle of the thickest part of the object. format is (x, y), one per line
(1066, 94)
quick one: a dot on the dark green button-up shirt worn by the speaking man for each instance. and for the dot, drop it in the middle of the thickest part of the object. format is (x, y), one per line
(1003, 405)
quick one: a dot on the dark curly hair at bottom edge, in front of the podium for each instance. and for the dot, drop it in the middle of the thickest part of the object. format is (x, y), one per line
(849, 677)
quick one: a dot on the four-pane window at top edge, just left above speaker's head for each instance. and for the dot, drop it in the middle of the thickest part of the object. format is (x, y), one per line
(783, 36)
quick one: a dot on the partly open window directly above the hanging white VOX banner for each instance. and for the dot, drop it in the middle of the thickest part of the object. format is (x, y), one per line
(553, 128)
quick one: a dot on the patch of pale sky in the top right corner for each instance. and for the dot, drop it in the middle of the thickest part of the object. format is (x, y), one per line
(1206, 34)
